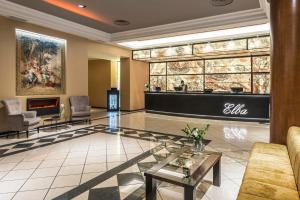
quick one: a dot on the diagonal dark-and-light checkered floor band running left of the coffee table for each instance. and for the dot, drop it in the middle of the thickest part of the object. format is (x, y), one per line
(128, 184)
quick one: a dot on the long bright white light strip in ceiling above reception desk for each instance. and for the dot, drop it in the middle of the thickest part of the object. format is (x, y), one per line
(200, 37)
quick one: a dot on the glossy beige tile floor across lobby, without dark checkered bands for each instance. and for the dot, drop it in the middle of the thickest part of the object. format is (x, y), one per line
(47, 172)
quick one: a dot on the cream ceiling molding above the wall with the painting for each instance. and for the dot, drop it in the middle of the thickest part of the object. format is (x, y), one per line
(9, 9)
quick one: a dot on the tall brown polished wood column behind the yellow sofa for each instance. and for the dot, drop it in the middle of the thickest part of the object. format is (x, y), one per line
(285, 92)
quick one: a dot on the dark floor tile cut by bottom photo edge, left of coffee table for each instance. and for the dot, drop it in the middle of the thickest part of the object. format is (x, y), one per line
(110, 193)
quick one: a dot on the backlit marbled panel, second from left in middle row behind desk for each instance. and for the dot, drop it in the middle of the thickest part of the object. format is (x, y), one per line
(185, 67)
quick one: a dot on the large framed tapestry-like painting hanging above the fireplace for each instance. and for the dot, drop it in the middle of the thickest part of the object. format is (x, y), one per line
(40, 64)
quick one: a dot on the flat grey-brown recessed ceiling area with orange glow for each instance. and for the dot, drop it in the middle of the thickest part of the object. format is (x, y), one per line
(101, 14)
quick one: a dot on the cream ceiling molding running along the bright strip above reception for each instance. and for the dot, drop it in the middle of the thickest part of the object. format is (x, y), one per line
(231, 20)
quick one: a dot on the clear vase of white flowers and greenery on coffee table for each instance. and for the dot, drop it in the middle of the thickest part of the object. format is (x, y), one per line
(197, 135)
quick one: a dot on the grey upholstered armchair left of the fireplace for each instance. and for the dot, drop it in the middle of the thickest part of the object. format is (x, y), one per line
(18, 121)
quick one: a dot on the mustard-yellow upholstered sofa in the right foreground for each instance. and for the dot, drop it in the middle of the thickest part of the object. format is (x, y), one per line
(273, 170)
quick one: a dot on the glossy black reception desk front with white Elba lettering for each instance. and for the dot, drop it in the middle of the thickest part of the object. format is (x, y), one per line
(246, 107)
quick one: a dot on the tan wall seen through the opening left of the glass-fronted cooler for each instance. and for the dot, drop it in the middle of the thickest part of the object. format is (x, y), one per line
(99, 82)
